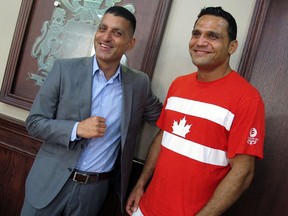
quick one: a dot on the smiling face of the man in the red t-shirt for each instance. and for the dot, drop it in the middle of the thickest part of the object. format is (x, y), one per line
(209, 47)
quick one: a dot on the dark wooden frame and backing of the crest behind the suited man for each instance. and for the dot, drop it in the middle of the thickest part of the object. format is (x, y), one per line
(151, 21)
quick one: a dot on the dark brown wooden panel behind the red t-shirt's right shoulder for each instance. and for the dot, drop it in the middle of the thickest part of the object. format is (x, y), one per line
(264, 64)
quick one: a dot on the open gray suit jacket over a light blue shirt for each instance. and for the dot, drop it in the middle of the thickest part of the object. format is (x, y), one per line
(64, 99)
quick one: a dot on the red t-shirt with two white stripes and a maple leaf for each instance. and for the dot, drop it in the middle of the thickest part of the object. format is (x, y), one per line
(205, 124)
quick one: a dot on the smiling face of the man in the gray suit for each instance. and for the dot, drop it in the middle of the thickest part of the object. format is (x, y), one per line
(112, 39)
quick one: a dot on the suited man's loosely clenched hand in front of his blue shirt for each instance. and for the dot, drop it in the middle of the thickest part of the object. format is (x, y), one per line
(92, 127)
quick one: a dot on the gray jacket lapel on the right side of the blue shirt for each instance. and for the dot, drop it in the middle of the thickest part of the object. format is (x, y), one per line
(127, 92)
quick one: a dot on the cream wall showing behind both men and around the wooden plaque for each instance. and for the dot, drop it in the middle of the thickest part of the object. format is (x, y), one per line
(173, 59)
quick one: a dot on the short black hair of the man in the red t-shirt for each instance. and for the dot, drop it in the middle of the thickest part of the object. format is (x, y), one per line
(218, 11)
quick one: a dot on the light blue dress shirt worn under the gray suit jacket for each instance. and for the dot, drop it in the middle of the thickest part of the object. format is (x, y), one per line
(100, 153)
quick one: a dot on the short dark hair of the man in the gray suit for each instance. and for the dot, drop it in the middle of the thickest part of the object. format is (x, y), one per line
(125, 13)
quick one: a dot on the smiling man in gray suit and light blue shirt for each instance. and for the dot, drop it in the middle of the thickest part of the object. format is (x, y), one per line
(88, 113)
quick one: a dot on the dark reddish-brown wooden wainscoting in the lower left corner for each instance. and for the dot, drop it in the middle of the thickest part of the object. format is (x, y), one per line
(17, 152)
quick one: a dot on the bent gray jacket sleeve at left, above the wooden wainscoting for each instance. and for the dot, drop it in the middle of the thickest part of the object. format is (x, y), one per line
(51, 117)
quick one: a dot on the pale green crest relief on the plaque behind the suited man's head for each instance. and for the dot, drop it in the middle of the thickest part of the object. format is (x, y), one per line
(69, 33)
